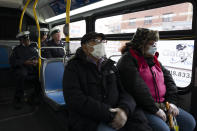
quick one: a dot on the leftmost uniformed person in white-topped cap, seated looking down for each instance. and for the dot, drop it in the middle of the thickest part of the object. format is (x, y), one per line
(24, 61)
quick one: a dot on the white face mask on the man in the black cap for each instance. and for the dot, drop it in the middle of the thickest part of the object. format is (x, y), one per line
(99, 50)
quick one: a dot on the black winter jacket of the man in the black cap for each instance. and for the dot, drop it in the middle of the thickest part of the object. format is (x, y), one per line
(90, 93)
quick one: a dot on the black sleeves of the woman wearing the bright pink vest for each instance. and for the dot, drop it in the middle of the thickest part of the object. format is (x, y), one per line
(135, 85)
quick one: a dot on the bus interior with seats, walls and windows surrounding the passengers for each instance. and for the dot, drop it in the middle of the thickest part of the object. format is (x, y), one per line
(176, 21)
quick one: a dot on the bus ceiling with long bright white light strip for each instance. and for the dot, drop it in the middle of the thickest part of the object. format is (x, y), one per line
(51, 10)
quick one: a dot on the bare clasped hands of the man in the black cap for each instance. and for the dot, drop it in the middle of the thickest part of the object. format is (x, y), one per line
(120, 119)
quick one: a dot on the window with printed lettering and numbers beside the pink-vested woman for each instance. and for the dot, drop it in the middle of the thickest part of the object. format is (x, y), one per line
(177, 57)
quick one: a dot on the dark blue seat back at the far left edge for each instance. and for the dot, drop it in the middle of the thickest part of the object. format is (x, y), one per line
(4, 57)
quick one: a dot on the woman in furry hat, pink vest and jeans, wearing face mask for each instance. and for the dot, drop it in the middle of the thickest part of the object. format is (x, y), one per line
(150, 83)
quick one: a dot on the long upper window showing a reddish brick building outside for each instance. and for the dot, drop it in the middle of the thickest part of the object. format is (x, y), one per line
(173, 17)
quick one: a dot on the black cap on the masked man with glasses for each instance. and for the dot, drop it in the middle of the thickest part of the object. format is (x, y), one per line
(91, 35)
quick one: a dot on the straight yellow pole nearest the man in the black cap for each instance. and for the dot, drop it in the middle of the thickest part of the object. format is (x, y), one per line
(66, 28)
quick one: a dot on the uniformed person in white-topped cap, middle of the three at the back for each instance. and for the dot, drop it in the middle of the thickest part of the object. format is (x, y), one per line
(44, 35)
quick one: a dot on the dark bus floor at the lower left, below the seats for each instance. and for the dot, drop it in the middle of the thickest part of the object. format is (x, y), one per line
(37, 118)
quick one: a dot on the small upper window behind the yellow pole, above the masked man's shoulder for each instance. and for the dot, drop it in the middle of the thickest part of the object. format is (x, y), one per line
(77, 29)
